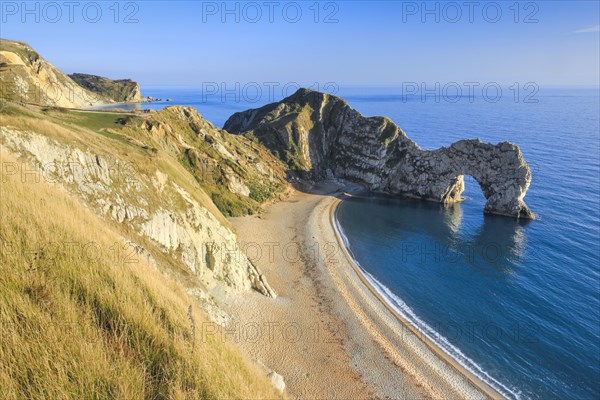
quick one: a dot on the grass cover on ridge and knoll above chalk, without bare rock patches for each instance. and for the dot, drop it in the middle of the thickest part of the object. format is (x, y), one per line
(206, 164)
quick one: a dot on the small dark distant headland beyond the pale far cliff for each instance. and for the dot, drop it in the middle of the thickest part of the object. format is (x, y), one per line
(120, 91)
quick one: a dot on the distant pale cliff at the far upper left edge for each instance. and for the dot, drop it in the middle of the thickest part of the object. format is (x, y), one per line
(26, 77)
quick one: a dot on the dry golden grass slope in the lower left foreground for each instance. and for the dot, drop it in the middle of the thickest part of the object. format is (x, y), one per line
(78, 320)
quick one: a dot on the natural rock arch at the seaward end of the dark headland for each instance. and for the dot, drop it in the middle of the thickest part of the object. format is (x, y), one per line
(500, 170)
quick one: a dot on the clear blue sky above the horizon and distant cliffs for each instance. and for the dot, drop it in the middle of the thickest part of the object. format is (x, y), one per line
(347, 42)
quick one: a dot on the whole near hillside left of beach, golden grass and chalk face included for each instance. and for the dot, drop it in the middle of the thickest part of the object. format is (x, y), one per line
(107, 246)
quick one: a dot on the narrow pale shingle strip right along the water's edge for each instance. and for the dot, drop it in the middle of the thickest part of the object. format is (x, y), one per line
(488, 390)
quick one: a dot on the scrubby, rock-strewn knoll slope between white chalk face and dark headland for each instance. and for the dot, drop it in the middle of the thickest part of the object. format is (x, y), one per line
(237, 173)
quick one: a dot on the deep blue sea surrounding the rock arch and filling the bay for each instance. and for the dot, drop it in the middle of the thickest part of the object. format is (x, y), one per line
(515, 302)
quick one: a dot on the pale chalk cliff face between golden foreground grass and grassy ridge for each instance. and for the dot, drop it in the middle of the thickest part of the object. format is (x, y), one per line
(176, 222)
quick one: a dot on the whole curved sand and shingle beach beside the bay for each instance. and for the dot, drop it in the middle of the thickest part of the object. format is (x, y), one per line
(362, 350)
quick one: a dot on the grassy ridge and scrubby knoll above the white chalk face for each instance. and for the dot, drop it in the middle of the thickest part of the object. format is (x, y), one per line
(238, 174)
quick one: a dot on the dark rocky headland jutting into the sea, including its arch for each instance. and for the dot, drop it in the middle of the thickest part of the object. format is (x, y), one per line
(321, 136)
